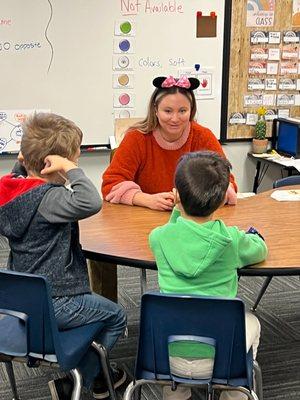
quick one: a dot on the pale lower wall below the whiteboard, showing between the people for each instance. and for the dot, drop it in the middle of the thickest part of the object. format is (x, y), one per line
(243, 168)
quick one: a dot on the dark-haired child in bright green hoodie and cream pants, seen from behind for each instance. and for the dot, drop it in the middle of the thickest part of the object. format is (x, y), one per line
(197, 254)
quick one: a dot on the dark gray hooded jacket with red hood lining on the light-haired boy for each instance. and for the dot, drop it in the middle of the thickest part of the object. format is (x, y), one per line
(40, 221)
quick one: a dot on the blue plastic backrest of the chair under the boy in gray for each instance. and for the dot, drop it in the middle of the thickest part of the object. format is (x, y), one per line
(28, 294)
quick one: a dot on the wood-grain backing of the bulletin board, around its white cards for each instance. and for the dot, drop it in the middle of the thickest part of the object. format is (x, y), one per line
(239, 75)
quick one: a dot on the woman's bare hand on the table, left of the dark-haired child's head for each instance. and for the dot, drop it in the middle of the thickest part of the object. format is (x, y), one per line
(159, 201)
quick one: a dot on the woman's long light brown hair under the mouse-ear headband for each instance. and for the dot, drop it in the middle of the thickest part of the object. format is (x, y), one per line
(151, 121)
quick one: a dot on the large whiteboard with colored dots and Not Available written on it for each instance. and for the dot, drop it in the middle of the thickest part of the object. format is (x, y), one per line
(94, 61)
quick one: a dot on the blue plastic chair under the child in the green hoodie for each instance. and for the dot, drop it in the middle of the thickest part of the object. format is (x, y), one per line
(196, 318)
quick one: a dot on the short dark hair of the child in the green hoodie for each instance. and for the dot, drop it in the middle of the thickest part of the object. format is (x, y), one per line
(202, 179)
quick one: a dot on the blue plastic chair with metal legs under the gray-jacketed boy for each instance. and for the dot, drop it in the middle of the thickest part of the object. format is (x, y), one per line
(29, 333)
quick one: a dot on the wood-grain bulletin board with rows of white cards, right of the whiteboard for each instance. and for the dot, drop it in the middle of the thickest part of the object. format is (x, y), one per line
(286, 84)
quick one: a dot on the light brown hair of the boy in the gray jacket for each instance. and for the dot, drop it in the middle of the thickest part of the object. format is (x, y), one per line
(45, 134)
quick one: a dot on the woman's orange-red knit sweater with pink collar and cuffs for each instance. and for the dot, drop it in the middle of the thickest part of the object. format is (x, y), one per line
(140, 159)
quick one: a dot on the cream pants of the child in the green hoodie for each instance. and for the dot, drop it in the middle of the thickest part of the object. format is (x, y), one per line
(196, 368)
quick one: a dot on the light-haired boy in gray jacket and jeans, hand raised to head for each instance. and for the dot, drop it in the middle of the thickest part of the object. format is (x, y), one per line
(39, 216)
